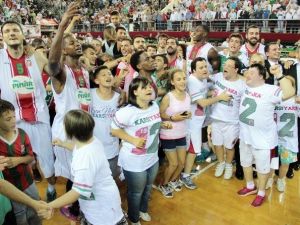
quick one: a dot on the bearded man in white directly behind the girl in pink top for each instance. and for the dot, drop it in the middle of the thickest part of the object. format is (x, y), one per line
(173, 60)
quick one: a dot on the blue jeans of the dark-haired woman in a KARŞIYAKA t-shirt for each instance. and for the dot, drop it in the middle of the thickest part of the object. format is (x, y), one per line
(139, 185)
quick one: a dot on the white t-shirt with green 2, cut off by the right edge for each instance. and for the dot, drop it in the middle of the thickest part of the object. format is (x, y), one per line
(286, 114)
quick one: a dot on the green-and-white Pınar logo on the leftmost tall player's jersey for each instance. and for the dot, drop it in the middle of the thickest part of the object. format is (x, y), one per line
(22, 85)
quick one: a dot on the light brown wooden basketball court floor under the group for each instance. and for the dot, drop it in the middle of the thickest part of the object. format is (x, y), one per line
(215, 202)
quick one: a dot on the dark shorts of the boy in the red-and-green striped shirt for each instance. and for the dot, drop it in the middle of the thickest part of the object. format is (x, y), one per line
(26, 215)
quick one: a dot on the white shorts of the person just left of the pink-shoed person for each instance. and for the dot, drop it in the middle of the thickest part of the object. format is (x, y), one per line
(224, 134)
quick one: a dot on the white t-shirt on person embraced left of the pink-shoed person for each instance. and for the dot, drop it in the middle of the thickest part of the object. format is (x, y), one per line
(227, 111)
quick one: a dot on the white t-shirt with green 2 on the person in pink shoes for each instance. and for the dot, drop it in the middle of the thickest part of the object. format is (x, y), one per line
(257, 125)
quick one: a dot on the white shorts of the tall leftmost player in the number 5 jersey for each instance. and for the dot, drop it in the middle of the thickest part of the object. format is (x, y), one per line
(40, 138)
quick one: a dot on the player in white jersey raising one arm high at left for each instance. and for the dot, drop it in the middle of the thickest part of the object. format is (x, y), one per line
(71, 90)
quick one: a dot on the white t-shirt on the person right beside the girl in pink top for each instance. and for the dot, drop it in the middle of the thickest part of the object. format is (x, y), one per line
(197, 89)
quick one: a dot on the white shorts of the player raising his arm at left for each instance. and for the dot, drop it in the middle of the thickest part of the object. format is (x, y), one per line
(63, 157)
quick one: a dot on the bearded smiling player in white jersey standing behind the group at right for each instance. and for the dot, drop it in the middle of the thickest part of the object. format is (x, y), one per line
(252, 44)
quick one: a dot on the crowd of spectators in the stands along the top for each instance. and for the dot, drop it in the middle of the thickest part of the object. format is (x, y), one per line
(167, 15)
